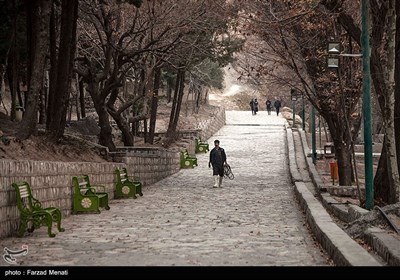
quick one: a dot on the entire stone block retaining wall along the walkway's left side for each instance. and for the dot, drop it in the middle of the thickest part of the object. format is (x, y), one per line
(51, 181)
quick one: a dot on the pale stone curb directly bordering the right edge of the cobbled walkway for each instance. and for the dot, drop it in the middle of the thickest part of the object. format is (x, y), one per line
(343, 250)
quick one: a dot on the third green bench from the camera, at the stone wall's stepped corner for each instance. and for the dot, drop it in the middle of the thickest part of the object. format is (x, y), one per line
(127, 186)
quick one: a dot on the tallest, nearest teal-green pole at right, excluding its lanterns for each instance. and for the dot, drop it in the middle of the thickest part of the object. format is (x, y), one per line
(369, 187)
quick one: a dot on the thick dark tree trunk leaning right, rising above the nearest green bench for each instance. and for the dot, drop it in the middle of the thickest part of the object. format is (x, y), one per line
(40, 26)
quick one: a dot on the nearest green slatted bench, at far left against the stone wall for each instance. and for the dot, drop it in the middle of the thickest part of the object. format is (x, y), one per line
(32, 213)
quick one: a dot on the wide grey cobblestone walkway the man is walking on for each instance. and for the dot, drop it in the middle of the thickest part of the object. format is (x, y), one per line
(253, 220)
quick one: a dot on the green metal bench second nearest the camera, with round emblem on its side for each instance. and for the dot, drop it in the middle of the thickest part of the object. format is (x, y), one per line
(87, 198)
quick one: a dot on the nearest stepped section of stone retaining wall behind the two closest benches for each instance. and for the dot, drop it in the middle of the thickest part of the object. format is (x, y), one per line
(50, 183)
